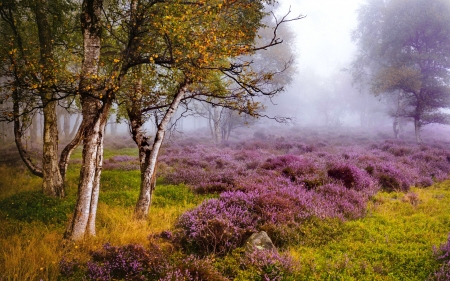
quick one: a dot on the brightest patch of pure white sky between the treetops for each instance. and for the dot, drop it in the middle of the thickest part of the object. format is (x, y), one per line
(323, 38)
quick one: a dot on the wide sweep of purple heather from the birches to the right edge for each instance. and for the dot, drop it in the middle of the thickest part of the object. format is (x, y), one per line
(275, 184)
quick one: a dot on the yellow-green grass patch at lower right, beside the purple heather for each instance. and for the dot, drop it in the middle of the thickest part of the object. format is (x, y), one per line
(393, 242)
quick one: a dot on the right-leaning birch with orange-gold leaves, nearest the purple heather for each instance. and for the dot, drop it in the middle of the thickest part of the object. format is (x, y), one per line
(209, 66)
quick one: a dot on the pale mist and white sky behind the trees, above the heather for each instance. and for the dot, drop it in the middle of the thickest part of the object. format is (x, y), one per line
(319, 90)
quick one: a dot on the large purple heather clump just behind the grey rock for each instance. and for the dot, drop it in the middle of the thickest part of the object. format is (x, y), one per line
(221, 225)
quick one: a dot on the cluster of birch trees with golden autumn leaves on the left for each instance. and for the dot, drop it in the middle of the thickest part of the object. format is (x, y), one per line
(180, 50)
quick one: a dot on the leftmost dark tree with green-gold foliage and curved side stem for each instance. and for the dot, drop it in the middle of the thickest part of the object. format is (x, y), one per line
(33, 76)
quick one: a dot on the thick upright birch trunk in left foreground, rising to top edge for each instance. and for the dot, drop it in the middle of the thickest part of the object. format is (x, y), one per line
(92, 128)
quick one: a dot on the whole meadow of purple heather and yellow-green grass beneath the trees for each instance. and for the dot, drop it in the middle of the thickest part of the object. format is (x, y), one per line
(338, 206)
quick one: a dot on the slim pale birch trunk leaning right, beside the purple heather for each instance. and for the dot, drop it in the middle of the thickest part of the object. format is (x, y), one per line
(151, 155)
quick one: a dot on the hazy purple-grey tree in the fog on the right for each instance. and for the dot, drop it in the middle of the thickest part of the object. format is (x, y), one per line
(406, 47)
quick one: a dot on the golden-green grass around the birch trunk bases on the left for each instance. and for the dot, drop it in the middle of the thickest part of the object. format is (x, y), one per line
(32, 225)
